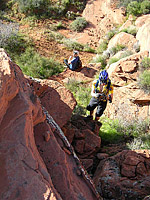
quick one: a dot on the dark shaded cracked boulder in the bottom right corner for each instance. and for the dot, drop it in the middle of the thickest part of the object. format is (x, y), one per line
(124, 176)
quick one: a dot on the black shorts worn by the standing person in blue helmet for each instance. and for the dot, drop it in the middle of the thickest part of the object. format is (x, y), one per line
(101, 106)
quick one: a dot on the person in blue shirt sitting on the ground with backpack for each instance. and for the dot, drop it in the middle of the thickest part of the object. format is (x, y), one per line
(73, 63)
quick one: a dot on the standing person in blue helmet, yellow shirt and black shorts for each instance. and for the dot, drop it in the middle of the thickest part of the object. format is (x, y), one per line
(102, 91)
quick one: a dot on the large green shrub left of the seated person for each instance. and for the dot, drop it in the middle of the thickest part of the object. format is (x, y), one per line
(33, 64)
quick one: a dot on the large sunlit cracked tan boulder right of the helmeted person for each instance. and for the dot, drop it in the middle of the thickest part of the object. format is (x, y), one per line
(129, 101)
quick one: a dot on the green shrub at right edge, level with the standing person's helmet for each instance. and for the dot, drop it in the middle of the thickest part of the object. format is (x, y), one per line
(144, 81)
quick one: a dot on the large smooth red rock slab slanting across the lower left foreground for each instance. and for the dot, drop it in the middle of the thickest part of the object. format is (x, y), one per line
(53, 172)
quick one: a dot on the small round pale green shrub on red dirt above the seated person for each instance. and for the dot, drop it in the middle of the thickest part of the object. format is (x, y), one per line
(79, 24)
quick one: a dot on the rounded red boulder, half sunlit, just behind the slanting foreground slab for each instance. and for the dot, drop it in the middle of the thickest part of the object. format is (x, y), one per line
(55, 98)
